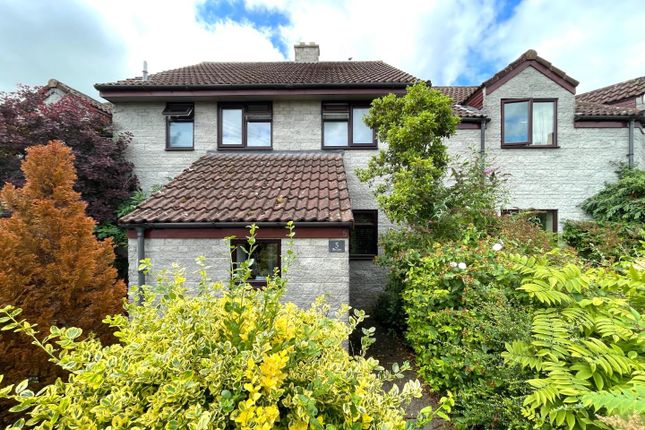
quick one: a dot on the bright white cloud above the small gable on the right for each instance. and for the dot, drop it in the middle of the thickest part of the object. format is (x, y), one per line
(595, 42)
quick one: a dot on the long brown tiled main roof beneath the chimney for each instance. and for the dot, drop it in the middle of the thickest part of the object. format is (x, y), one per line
(271, 74)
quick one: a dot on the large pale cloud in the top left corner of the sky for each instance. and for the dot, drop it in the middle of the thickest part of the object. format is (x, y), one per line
(68, 41)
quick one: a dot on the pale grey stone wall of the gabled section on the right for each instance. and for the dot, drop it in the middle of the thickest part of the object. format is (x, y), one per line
(549, 178)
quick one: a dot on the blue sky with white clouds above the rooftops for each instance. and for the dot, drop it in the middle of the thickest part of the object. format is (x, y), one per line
(456, 42)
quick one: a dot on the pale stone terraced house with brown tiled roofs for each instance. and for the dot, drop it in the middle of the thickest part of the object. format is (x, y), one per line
(268, 143)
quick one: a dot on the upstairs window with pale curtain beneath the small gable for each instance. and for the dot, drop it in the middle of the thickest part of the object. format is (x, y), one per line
(529, 123)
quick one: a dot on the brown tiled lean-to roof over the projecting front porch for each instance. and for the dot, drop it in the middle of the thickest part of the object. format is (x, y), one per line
(245, 187)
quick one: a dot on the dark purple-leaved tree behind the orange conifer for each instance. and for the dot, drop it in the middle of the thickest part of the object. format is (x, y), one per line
(105, 177)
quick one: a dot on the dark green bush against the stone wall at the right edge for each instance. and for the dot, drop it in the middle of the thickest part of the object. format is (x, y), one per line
(622, 201)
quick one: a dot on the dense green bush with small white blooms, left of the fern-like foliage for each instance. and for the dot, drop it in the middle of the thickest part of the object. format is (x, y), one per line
(461, 308)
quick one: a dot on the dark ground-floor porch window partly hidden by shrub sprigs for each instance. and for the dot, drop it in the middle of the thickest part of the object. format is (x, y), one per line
(266, 259)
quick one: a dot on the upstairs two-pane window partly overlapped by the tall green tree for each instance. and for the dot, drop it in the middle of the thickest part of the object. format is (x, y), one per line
(343, 126)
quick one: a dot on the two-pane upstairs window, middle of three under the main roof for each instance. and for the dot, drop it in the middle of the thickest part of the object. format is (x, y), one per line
(245, 126)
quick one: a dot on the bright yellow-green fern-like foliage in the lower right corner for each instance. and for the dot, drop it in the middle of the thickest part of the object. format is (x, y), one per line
(586, 346)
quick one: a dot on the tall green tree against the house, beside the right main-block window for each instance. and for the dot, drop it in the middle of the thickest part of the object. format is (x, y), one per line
(408, 175)
